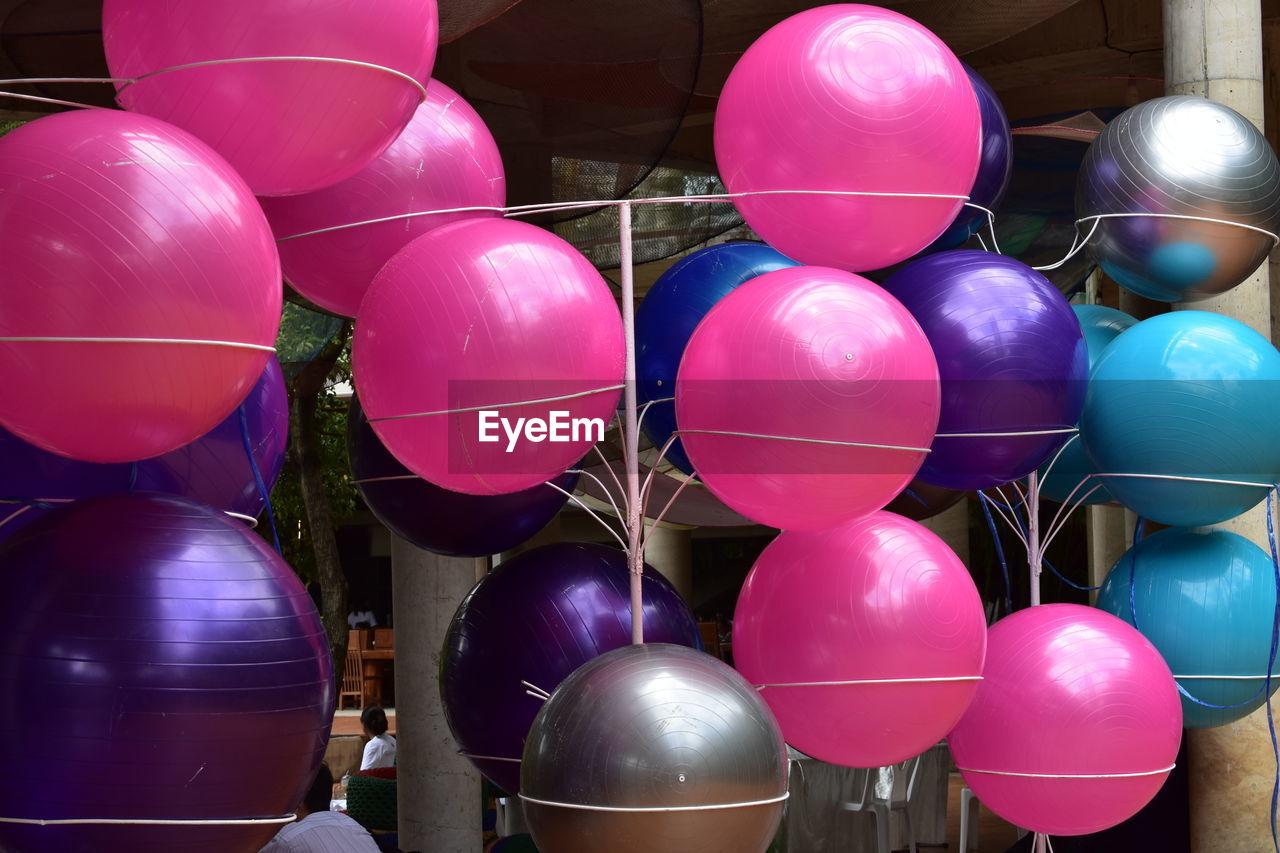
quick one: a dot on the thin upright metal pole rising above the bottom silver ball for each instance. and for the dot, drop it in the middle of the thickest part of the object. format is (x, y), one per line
(630, 431)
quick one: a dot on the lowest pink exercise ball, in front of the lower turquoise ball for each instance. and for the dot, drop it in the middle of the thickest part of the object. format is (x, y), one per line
(1076, 724)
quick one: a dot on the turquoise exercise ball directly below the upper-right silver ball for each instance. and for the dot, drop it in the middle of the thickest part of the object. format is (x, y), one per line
(1186, 395)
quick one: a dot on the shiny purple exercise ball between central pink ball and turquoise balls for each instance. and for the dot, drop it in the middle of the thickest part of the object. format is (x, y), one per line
(1012, 358)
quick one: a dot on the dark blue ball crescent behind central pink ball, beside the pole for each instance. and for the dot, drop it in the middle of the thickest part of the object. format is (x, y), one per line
(670, 313)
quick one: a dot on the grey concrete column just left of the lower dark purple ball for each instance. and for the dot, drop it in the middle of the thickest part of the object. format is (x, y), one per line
(438, 790)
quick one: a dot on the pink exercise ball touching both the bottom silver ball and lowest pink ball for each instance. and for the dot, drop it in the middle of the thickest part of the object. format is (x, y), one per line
(877, 600)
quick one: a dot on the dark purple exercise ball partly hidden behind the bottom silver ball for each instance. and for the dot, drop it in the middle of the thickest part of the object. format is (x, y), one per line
(537, 618)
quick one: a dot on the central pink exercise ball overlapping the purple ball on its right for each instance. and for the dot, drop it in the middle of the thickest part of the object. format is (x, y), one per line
(813, 354)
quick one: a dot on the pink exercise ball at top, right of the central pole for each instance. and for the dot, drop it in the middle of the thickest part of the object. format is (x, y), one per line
(849, 98)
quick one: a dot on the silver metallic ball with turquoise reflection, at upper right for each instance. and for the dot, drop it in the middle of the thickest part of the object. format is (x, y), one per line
(1180, 157)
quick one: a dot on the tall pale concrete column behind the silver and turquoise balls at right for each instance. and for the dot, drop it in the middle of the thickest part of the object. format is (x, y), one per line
(1214, 49)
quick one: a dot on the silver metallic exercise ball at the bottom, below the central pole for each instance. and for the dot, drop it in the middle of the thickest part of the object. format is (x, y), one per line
(655, 749)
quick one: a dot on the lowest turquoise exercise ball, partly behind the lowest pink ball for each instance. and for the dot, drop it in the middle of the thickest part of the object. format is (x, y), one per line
(1206, 600)
